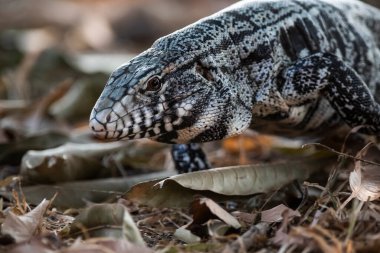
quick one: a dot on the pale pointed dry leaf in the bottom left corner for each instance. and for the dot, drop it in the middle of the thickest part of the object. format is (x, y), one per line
(23, 227)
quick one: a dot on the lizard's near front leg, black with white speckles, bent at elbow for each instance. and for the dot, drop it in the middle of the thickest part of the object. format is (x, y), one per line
(324, 74)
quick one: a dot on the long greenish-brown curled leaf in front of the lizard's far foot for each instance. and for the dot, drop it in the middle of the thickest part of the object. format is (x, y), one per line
(224, 183)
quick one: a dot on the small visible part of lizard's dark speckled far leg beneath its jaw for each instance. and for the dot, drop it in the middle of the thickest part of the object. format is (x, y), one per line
(189, 157)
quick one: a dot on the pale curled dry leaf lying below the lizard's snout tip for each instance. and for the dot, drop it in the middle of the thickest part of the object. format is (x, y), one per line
(69, 162)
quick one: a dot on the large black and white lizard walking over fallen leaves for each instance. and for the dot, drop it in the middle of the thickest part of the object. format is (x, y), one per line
(290, 68)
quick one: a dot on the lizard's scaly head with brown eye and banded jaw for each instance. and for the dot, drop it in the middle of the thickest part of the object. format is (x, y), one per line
(168, 96)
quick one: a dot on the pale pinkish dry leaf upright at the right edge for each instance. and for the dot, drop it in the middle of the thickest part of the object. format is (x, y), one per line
(365, 179)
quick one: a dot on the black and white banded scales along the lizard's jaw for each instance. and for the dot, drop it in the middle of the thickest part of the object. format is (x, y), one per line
(115, 123)
